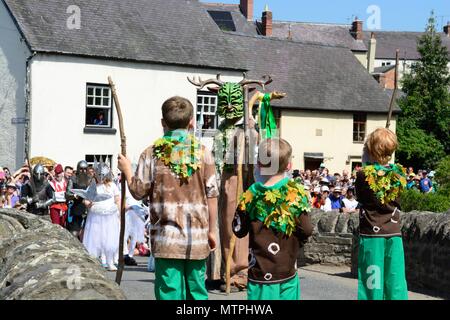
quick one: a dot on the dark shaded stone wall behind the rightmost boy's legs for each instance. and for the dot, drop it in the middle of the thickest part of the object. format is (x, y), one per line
(426, 242)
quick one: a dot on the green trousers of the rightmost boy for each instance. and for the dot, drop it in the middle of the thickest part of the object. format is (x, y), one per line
(381, 269)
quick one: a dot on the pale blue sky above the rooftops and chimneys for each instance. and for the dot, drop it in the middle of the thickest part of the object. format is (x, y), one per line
(394, 15)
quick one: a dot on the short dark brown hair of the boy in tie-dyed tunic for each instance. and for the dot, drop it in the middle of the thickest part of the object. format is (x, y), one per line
(177, 112)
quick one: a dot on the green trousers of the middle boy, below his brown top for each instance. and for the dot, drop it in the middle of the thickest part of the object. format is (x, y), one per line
(289, 290)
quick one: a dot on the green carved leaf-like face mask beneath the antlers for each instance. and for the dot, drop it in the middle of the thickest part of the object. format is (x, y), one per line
(230, 101)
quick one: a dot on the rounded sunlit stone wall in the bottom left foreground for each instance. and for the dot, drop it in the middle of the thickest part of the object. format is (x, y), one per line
(40, 261)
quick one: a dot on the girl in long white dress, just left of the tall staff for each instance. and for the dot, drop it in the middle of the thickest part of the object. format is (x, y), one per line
(101, 234)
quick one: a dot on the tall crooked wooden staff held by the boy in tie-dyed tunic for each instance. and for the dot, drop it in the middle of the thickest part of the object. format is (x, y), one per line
(123, 146)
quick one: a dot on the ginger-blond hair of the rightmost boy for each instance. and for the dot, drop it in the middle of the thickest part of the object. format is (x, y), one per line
(381, 144)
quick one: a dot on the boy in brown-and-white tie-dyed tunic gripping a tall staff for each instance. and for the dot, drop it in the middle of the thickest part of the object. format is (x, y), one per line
(178, 176)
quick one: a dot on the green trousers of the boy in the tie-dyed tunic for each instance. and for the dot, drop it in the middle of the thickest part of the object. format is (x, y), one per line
(180, 279)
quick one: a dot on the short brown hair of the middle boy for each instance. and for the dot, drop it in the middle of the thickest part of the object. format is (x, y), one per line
(275, 149)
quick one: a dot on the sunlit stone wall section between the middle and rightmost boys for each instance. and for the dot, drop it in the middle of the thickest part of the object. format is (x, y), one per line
(331, 242)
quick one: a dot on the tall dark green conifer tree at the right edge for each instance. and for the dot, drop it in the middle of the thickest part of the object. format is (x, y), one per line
(424, 124)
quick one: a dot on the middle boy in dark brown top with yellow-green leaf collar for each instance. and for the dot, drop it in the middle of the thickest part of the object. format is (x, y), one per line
(274, 214)
